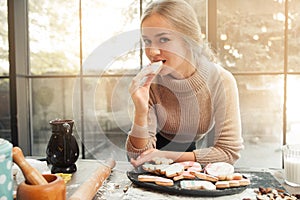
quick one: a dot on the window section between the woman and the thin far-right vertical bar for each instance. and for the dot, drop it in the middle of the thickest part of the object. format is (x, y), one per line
(250, 37)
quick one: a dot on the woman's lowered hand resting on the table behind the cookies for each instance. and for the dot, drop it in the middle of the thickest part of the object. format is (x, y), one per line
(146, 156)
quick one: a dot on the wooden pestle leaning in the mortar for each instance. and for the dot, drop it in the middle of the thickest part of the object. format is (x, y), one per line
(32, 175)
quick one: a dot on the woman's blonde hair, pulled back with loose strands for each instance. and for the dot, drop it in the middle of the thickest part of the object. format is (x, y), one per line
(183, 18)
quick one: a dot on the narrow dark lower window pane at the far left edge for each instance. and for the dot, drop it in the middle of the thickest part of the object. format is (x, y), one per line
(5, 131)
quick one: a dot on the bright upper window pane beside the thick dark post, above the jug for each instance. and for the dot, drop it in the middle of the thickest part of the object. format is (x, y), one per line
(54, 37)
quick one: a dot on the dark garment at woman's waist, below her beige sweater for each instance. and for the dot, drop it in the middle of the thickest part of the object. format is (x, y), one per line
(164, 144)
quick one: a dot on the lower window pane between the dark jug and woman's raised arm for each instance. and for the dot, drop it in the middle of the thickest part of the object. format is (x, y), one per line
(107, 116)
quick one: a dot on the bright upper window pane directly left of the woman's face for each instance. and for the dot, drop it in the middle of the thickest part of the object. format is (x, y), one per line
(110, 31)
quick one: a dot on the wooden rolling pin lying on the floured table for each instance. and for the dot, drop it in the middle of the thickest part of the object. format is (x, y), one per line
(90, 187)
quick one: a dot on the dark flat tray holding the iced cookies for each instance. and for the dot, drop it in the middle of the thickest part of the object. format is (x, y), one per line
(175, 189)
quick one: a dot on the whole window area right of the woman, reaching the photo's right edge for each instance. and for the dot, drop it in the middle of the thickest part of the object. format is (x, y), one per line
(251, 44)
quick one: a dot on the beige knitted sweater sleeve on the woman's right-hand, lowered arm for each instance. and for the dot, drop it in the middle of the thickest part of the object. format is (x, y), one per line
(228, 139)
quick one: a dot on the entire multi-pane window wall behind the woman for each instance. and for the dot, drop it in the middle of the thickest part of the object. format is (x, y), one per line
(83, 55)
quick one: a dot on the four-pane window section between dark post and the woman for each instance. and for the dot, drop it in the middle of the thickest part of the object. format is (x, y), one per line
(74, 70)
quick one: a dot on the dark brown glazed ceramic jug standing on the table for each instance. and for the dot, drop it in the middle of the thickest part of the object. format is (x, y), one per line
(62, 150)
